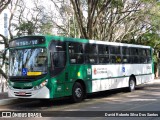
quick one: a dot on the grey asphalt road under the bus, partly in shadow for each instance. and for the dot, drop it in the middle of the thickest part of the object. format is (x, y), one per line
(144, 98)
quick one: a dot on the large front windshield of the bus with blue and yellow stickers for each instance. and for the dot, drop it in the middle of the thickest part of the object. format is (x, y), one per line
(28, 62)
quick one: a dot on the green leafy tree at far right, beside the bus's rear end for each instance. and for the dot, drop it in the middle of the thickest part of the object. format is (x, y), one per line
(152, 37)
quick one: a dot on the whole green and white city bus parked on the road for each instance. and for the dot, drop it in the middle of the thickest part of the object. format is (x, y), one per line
(54, 66)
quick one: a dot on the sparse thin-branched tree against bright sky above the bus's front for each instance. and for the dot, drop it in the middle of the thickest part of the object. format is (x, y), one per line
(31, 20)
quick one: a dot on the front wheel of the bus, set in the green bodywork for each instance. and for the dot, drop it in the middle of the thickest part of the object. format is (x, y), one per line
(77, 92)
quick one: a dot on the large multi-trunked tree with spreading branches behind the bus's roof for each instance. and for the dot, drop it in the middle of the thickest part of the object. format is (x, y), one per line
(110, 20)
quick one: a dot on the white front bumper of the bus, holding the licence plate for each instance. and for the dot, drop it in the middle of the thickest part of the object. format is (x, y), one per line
(29, 93)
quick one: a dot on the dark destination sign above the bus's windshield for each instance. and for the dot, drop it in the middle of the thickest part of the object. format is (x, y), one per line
(26, 41)
